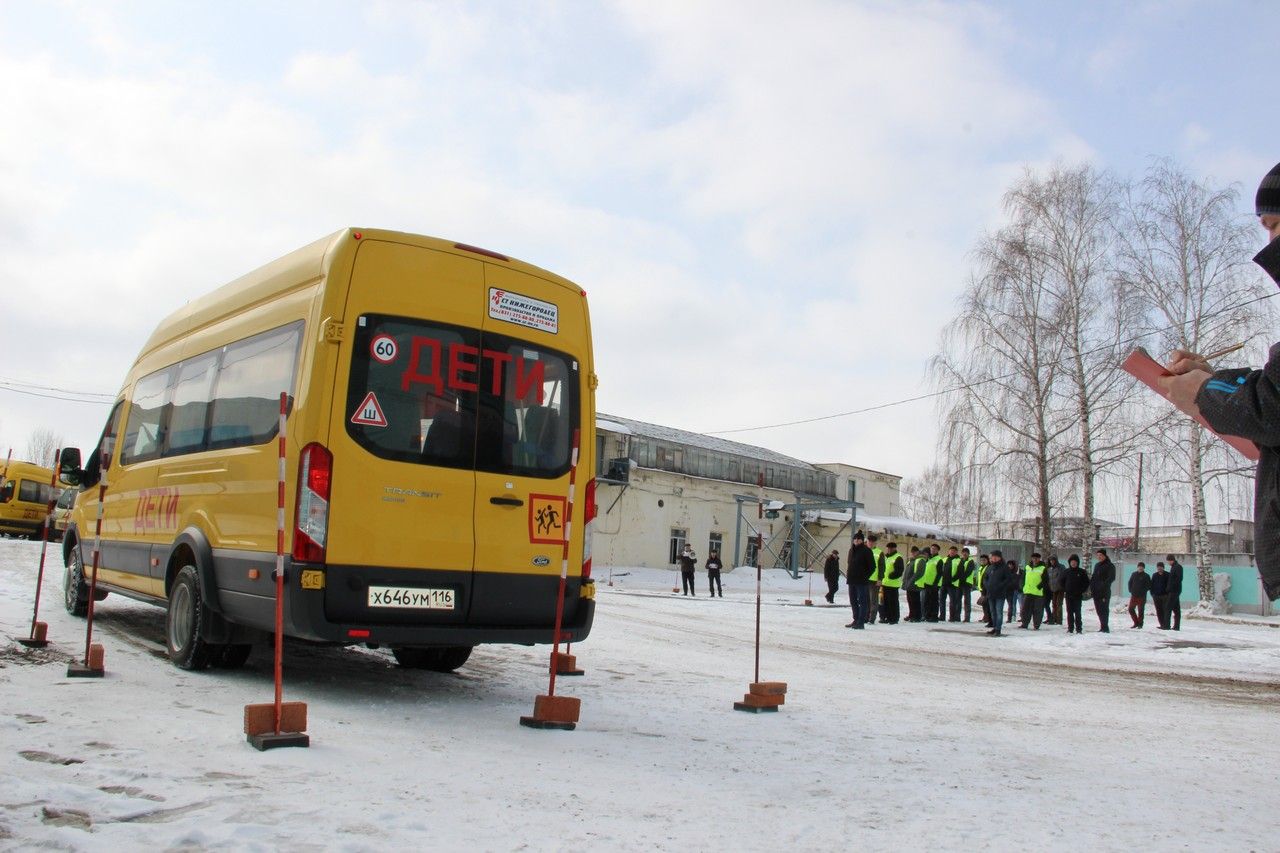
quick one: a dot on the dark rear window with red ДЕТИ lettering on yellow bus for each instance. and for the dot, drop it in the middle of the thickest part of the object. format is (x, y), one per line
(445, 395)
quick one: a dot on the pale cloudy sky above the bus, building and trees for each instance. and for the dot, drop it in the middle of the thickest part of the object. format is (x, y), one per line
(771, 206)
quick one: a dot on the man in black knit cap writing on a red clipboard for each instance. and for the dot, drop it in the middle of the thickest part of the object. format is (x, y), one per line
(1245, 403)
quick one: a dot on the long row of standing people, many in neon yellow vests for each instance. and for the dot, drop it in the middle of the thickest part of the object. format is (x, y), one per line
(940, 589)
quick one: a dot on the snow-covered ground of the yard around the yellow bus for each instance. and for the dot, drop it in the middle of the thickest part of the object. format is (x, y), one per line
(909, 737)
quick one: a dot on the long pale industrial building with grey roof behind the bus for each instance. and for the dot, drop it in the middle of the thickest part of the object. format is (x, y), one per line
(659, 487)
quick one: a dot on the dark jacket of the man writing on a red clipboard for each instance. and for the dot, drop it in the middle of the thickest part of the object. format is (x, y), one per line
(1247, 403)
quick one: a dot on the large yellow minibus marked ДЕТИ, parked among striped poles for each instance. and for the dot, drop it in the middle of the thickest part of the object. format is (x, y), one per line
(435, 391)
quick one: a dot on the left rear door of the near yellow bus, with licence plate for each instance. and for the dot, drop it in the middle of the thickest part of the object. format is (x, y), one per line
(401, 531)
